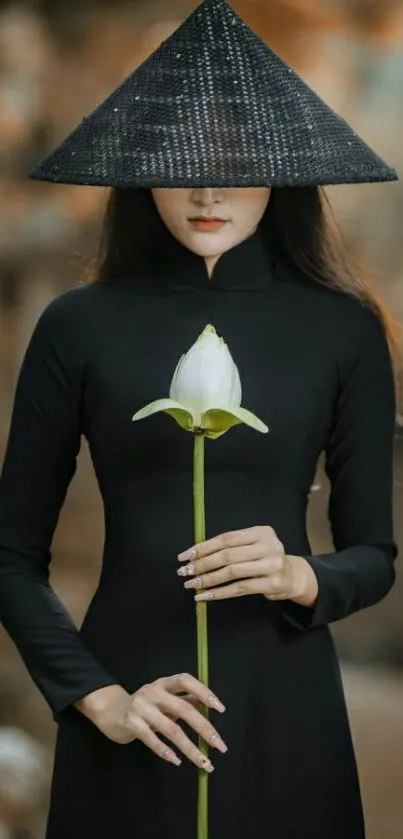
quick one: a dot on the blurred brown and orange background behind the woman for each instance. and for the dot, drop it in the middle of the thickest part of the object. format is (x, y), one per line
(58, 60)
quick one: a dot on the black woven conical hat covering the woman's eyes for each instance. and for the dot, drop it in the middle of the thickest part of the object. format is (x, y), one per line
(213, 106)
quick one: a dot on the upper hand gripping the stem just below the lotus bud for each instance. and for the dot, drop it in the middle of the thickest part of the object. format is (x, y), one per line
(251, 561)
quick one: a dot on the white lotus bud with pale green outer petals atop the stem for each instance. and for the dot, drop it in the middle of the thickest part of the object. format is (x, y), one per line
(206, 393)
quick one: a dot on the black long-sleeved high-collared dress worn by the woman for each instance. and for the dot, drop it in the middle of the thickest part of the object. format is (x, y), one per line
(315, 367)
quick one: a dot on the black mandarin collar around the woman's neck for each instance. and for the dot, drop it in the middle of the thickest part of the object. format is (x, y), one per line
(249, 266)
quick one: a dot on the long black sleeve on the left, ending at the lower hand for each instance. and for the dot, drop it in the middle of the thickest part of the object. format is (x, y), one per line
(39, 464)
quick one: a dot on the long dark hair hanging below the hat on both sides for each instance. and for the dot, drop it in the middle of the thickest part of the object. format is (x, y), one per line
(298, 224)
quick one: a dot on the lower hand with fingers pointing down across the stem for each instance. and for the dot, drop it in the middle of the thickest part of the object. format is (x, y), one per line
(154, 709)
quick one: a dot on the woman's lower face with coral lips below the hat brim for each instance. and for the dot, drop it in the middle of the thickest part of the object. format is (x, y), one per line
(210, 222)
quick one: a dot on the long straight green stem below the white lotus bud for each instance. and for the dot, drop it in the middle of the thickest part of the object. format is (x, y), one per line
(201, 618)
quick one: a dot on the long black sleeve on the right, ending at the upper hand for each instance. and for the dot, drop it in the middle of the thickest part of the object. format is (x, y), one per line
(359, 465)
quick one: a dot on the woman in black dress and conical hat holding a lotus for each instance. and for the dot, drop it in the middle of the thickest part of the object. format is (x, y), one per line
(235, 243)
